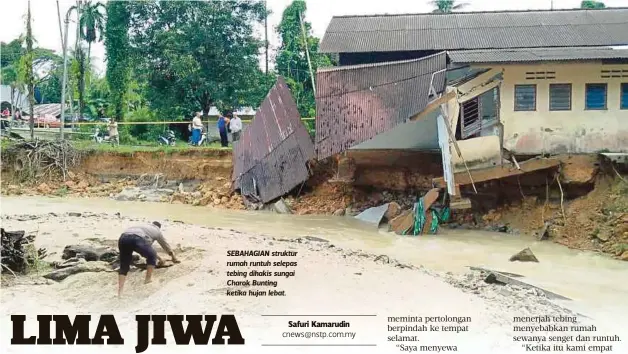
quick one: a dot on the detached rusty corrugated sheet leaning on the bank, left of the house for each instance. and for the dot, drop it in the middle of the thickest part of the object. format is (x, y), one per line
(270, 159)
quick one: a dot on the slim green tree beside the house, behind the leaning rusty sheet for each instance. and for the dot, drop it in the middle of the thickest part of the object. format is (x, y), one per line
(291, 61)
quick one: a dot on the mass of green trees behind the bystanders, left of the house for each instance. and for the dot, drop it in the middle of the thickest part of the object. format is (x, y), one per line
(166, 60)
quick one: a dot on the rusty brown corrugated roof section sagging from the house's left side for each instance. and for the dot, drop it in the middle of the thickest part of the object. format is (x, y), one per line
(355, 103)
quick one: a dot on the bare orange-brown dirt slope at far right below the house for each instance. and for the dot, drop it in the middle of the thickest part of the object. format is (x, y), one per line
(597, 221)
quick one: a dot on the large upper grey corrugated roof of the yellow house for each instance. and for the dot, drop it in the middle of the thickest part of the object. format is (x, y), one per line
(476, 30)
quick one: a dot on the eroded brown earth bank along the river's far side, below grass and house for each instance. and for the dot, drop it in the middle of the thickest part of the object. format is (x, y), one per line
(593, 214)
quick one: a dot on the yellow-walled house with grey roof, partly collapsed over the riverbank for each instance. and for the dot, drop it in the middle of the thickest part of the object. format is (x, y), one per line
(517, 83)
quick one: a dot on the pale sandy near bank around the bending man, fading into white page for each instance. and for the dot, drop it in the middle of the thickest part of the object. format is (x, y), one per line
(327, 279)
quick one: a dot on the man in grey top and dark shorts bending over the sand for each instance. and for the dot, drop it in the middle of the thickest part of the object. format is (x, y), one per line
(140, 239)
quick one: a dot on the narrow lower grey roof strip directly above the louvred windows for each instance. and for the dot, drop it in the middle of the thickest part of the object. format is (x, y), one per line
(536, 54)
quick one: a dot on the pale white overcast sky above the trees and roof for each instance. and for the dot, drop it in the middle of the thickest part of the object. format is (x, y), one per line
(319, 13)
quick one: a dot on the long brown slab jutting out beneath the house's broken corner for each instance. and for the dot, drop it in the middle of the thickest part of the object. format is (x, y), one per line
(498, 172)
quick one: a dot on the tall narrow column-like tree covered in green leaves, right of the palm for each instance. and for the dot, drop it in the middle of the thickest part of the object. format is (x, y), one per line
(117, 47)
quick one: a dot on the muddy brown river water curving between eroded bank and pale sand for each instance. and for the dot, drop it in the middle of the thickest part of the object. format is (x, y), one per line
(591, 280)
